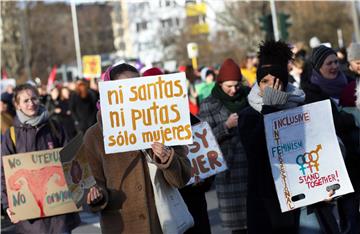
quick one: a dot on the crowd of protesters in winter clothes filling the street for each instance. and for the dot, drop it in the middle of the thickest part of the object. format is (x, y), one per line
(233, 99)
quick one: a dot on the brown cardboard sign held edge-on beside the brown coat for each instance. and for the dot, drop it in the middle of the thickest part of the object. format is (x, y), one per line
(77, 170)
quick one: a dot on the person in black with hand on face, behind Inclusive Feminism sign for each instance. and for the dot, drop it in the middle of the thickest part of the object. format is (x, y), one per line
(271, 93)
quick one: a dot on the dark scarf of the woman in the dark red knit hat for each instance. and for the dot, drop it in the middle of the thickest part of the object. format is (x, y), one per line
(233, 104)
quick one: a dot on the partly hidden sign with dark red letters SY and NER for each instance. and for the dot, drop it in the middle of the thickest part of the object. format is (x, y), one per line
(204, 154)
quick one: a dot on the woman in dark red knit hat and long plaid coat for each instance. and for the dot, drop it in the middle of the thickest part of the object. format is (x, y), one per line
(220, 110)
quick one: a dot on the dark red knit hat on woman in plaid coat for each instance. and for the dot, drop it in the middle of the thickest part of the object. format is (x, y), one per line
(229, 70)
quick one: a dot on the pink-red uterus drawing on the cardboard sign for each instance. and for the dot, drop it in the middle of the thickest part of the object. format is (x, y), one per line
(37, 182)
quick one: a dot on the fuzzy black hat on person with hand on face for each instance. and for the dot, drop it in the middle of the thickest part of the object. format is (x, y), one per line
(274, 57)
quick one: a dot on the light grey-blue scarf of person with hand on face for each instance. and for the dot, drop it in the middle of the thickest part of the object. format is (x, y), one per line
(297, 96)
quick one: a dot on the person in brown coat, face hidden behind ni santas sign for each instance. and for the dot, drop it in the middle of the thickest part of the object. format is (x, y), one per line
(124, 192)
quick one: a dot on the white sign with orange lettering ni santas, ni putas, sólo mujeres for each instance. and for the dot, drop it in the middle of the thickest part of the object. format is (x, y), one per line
(139, 111)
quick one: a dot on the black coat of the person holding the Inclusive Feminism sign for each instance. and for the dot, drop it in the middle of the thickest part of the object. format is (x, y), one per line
(263, 209)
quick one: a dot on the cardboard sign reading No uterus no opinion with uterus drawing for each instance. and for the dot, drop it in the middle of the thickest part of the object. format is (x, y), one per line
(36, 186)
